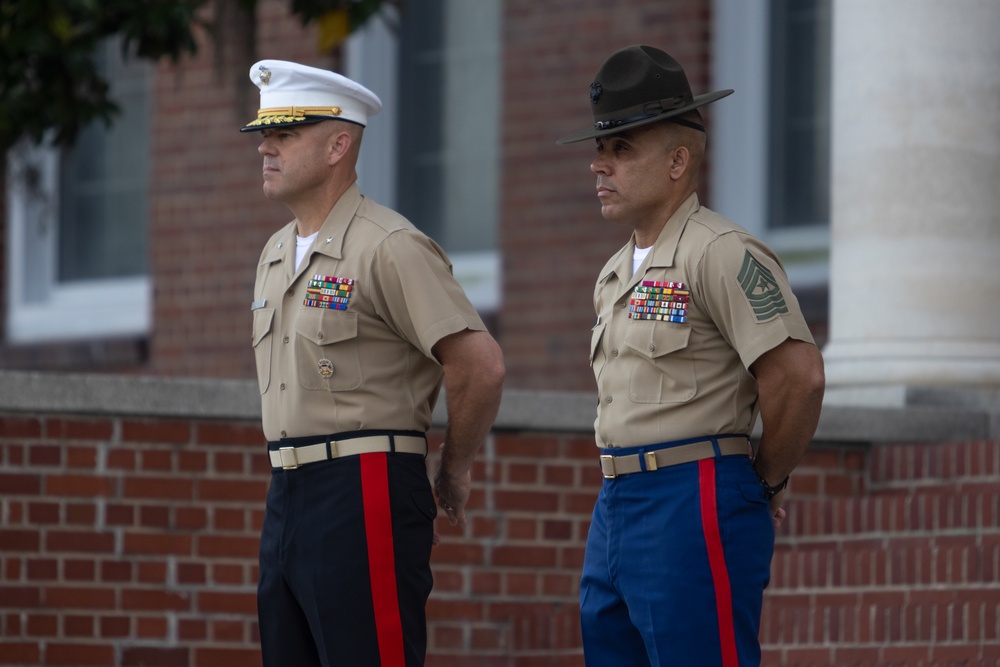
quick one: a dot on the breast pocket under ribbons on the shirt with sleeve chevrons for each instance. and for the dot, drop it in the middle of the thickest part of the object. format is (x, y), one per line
(663, 365)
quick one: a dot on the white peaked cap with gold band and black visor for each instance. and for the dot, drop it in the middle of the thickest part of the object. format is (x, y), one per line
(293, 94)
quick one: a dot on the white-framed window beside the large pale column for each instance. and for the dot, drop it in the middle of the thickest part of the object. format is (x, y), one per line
(770, 147)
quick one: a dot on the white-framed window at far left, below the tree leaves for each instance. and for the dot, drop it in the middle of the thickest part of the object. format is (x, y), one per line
(77, 251)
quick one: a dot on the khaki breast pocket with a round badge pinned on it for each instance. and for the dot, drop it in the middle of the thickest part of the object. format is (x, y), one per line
(327, 354)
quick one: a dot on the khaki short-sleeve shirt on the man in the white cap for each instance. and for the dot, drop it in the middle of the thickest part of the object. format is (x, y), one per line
(344, 343)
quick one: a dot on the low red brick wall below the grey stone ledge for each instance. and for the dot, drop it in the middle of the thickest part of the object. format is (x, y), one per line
(128, 540)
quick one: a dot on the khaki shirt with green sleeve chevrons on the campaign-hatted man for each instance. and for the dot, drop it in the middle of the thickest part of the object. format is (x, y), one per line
(673, 343)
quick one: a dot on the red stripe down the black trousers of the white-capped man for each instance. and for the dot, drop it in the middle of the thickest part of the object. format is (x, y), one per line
(381, 558)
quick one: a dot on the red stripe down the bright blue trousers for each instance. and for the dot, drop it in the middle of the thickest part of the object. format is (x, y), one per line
(717, 562)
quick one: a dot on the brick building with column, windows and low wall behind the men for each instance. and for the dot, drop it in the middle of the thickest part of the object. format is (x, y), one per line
(862, 143)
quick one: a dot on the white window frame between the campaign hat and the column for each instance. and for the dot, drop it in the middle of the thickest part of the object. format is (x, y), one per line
(739, 142)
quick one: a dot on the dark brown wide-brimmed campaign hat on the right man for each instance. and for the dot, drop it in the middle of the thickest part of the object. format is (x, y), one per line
(639, 85)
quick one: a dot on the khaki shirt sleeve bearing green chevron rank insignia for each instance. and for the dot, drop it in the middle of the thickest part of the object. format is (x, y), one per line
(747, 294)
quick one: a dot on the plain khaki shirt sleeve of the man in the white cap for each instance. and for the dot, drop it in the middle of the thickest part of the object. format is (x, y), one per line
(416, 293)
